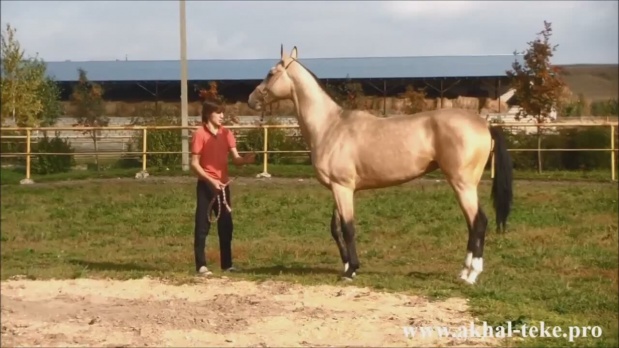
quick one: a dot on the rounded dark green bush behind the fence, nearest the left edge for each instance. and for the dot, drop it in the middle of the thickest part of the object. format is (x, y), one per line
(51, 164)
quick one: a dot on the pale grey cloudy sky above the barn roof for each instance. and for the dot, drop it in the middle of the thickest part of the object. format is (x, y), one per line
(586, 31)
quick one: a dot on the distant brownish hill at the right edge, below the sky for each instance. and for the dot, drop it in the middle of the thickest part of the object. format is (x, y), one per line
(594, 81)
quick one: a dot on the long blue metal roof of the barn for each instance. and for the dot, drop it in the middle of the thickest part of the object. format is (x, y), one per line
(256, 69)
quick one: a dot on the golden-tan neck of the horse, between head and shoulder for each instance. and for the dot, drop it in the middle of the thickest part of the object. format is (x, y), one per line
(316, 111)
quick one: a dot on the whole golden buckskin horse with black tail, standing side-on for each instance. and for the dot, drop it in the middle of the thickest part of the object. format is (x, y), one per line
(353, 150)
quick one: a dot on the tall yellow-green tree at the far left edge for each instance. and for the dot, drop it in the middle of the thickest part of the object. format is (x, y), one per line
(29, 97)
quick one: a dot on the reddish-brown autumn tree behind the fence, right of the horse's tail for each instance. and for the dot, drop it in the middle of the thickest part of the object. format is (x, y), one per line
(539, 87)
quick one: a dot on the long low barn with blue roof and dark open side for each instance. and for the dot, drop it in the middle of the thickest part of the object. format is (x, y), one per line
(441, 76)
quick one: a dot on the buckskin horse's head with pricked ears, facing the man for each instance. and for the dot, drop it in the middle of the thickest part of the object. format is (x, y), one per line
(277, 85)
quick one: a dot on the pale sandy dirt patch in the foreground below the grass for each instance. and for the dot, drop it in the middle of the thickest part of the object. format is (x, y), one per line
(218, 312)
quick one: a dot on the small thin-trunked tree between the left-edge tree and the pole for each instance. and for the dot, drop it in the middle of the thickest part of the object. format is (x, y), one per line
(88, 99)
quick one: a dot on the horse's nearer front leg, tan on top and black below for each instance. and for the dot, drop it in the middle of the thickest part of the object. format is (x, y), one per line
(344, 202)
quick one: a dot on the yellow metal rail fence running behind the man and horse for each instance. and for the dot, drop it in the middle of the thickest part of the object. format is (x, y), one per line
(28, 134)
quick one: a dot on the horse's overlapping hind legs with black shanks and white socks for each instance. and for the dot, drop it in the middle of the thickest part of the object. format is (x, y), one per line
(477, 223)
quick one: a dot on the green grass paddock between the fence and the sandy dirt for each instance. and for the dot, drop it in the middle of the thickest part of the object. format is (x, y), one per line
(558, 263)
